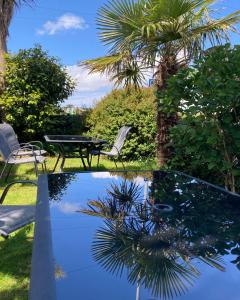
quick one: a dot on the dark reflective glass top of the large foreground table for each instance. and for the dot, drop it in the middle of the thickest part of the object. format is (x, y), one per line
(144, 235)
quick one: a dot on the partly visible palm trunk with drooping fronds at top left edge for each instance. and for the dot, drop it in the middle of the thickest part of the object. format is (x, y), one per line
(6, 13)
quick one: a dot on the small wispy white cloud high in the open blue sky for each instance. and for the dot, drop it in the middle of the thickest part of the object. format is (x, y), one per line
(65, 22)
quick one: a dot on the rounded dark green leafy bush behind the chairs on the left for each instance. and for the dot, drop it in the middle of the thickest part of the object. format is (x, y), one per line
(36, 85)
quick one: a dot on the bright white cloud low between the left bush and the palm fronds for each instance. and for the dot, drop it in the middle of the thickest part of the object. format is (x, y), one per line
(90, 88)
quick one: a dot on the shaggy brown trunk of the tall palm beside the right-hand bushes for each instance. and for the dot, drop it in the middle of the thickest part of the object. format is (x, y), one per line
(167, 67)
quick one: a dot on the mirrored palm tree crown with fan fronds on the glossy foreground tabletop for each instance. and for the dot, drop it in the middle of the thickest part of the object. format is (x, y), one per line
(137, 238)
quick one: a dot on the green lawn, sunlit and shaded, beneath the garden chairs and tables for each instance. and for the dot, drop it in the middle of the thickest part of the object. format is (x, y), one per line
(15, 253)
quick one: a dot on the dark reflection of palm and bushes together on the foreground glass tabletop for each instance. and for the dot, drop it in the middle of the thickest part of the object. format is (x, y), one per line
(160, 249)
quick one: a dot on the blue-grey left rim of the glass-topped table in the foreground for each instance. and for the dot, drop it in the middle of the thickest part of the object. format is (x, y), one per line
(42, 281)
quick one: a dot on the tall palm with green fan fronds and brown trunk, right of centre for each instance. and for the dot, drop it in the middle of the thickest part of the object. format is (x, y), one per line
(160, 35)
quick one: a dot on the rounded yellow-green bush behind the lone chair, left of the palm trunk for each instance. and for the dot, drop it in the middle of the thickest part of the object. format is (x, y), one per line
(133, 108)
